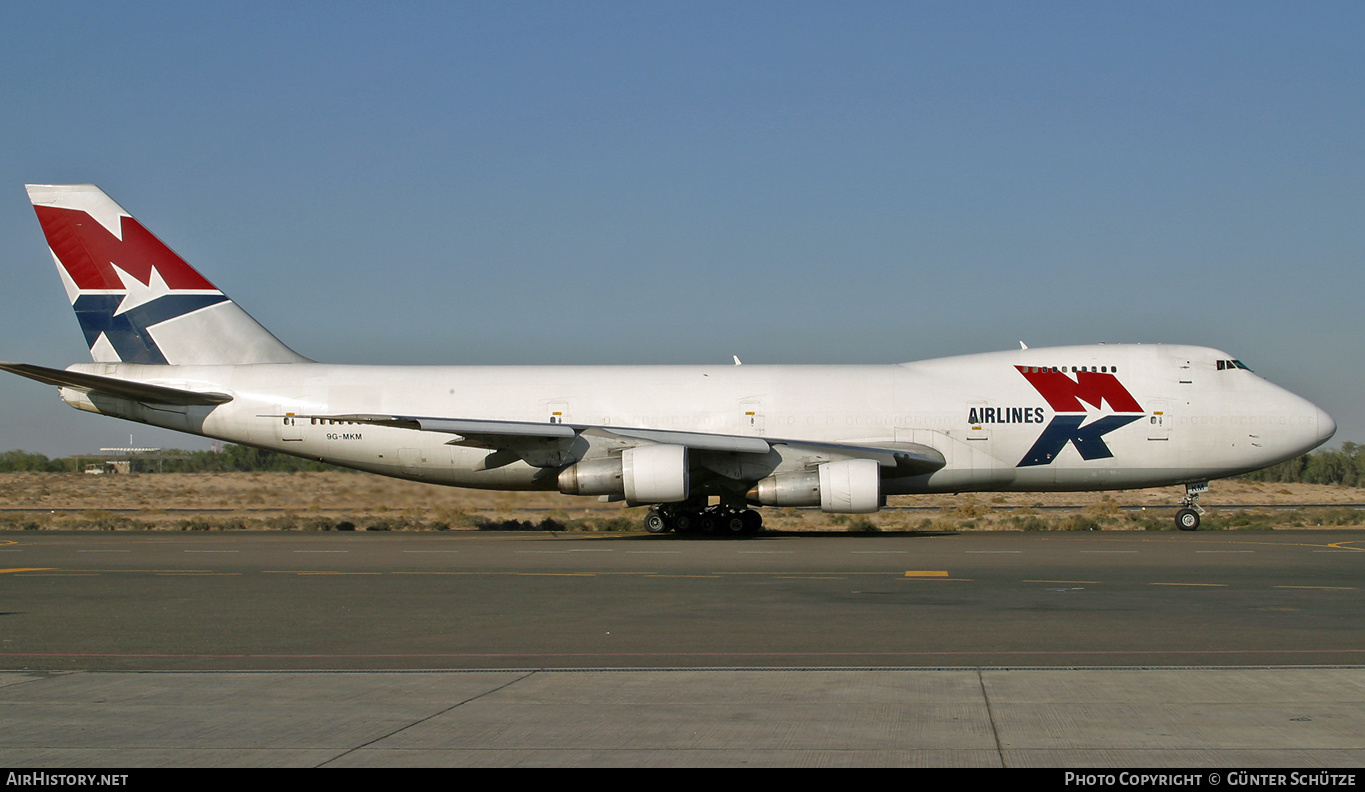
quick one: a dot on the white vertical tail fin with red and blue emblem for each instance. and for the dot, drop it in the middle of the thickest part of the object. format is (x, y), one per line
(136, 300)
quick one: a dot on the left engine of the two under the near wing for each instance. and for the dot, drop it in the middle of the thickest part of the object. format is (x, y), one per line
(646, 475)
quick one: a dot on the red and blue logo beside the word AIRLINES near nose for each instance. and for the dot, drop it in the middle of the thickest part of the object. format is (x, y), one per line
(1069, 399)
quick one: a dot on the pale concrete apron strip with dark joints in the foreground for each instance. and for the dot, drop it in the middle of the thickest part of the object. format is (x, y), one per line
(1233, 719)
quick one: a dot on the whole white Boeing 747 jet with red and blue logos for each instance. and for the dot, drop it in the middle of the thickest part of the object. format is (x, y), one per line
(701, 446)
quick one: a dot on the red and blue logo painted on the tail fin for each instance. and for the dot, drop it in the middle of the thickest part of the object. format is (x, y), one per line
(124, 283)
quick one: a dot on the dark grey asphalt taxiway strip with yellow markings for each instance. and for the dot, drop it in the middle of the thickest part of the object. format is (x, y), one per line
(533, 600)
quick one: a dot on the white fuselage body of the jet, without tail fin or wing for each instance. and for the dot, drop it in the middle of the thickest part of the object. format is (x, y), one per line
(996, 428)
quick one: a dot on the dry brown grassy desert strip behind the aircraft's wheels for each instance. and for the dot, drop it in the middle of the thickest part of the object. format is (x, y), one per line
(362, 502)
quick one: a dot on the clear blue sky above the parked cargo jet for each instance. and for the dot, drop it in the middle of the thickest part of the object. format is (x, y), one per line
(683, 182)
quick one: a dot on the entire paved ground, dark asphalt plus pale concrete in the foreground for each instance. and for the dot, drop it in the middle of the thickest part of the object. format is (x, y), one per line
(1109, 649)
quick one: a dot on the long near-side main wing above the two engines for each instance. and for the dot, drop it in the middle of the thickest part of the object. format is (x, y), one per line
(552, 444)
